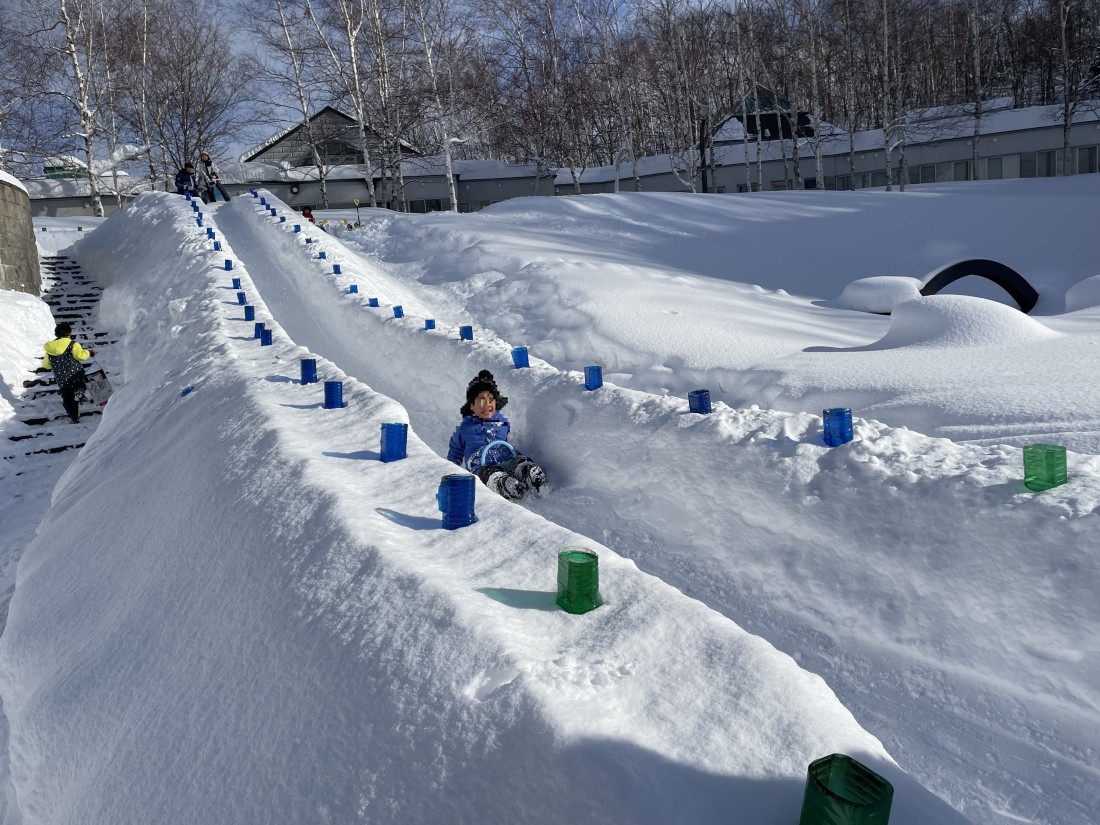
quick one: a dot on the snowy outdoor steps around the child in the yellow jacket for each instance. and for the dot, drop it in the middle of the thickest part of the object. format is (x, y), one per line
(47, 430)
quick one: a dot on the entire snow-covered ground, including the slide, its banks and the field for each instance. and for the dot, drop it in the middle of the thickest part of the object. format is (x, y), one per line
(233, 612)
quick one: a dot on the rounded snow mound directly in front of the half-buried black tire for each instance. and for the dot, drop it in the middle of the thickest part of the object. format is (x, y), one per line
(959, 322)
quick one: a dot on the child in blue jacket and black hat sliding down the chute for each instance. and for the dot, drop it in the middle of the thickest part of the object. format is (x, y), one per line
(480, 444)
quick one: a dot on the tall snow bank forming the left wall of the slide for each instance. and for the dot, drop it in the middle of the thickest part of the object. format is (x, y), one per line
(257, 621)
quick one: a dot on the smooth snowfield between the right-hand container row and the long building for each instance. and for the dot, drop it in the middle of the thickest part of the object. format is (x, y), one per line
(670, 294)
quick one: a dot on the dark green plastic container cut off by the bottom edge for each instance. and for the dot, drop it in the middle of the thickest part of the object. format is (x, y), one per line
(841, 791)
